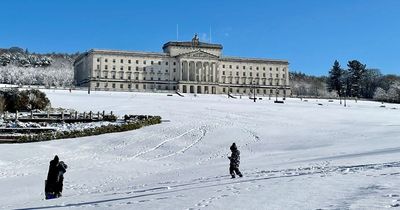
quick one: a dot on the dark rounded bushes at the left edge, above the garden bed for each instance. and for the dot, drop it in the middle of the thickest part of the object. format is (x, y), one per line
(14, 100)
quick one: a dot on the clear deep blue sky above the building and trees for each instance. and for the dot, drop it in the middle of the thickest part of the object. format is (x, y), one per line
(310, 34)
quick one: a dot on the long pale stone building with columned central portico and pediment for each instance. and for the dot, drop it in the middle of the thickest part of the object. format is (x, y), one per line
(190, 67)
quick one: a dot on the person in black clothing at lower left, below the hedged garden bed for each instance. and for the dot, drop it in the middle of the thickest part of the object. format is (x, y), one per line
(55, 178)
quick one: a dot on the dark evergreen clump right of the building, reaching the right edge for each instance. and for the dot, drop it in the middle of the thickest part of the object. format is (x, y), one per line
(360, 82)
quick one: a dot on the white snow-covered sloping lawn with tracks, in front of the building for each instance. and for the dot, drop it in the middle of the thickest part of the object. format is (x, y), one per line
(297, 155)
